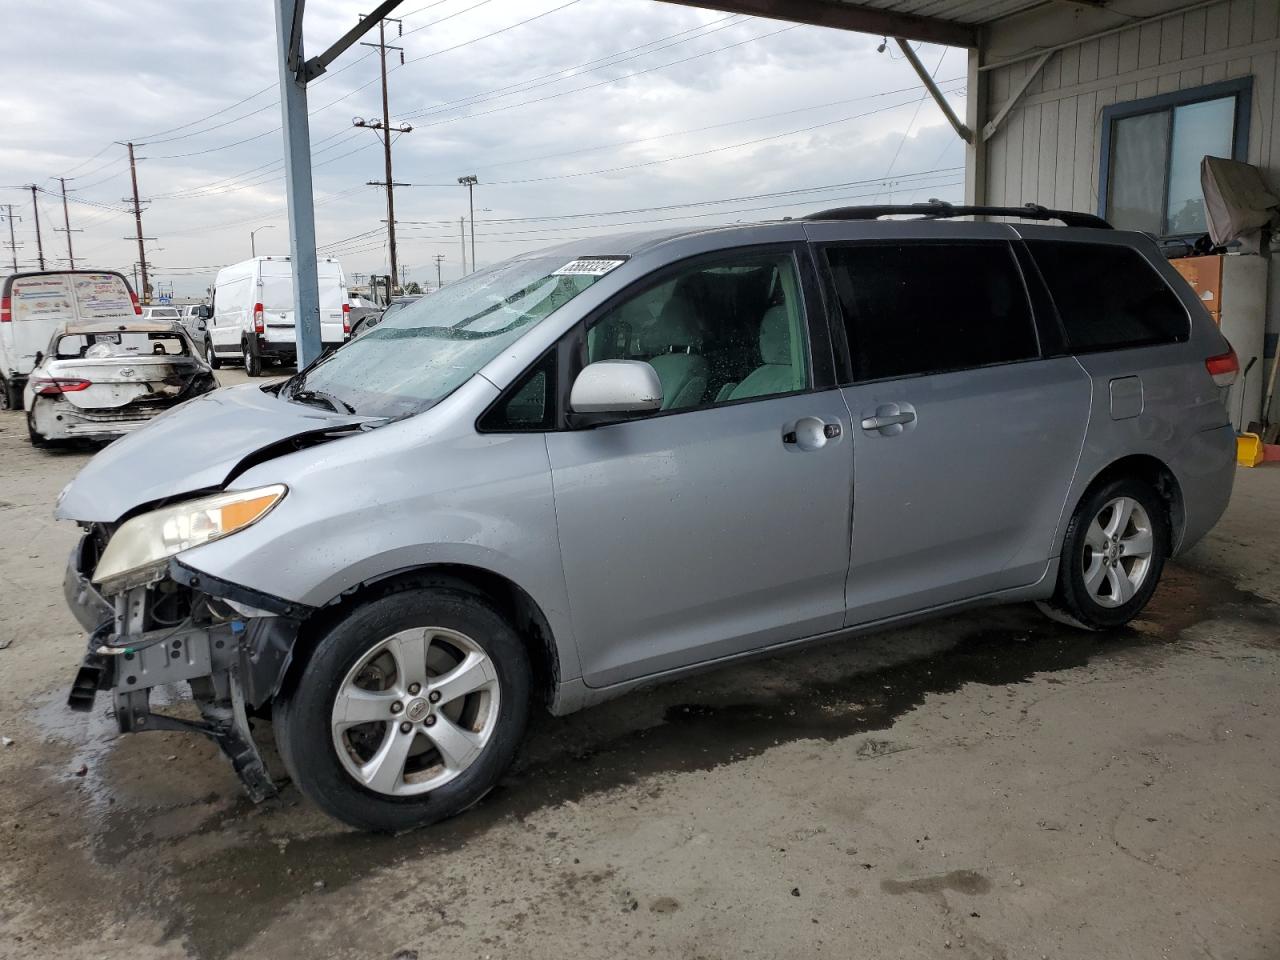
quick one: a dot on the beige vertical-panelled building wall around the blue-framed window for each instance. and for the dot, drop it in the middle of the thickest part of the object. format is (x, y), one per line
(1049, 149)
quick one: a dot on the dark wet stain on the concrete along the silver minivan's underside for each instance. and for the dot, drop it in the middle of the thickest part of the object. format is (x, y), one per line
(266, 860)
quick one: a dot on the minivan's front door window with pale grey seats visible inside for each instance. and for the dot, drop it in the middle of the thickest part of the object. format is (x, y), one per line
(716, 333)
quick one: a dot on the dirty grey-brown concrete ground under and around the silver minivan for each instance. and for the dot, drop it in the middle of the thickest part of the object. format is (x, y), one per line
(990, 785)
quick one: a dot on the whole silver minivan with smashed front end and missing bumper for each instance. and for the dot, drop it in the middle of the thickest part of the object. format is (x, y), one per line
(634, 458)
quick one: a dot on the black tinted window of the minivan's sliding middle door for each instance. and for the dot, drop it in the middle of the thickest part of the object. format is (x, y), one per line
(922, 308)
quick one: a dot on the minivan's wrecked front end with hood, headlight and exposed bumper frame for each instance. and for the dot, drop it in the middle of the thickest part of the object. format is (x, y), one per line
(153, 623)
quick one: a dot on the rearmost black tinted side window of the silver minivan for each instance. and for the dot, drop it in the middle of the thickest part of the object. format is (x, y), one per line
(1109, 296)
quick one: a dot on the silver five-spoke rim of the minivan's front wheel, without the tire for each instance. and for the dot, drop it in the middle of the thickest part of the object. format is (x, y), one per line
(415, 711)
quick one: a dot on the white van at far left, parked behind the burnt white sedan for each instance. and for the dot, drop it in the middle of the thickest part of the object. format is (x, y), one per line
(35, 304)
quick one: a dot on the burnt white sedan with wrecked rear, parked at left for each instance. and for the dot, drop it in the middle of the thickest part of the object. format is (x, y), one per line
(100, 381)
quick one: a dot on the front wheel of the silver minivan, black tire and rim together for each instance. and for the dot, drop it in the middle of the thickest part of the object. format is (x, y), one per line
(408, 711)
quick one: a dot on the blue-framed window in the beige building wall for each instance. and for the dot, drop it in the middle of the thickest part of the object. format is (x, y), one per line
(1153, 152)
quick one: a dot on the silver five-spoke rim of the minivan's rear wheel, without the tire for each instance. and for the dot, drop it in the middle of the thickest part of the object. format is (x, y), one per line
(1118, 550)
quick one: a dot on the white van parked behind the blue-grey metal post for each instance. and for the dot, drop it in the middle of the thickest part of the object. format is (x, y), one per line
(253, 313)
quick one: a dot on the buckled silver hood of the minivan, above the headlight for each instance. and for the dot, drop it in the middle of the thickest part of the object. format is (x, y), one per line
(196, 447)
